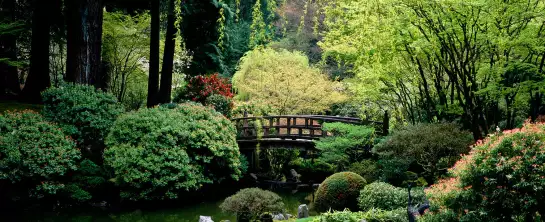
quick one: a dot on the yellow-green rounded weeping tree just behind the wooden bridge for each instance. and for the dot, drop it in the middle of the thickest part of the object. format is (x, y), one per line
(285, 81)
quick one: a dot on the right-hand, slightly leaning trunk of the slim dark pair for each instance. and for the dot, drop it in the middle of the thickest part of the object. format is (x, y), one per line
(168, 57)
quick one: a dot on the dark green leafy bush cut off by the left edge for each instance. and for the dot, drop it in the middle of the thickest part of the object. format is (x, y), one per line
(35, 155)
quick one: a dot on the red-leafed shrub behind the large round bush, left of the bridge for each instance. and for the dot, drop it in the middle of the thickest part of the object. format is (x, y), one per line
(199, 88)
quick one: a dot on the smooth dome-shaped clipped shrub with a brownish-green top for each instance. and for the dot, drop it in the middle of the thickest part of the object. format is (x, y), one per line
(339, 191)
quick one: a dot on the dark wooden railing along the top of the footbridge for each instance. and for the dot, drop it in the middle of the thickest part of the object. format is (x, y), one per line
(307, 127)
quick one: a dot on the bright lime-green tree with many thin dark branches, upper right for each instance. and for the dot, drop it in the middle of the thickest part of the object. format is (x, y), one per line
(413, 60)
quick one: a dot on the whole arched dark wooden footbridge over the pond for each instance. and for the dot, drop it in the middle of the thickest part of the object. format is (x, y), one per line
(292, 131)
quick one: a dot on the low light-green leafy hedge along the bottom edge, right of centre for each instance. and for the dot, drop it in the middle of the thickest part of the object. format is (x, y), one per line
(374, 215)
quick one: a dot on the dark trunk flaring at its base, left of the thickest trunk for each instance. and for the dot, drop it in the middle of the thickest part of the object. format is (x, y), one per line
(38, 76)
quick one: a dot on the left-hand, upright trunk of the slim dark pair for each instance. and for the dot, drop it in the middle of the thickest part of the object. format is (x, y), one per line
(153, 81)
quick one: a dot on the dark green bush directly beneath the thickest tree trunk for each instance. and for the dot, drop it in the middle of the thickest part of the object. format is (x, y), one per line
(82, 111)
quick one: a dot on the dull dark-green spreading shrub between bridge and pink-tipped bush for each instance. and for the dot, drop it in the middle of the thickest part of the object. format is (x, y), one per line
(432, 147)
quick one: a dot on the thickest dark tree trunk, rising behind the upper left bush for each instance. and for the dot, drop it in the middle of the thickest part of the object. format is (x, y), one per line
(84, 42)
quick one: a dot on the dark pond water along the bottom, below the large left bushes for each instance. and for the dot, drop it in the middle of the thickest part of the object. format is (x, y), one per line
(187, 213)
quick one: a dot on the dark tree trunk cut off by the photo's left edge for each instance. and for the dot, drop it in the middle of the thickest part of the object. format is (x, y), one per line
(9, 81)
